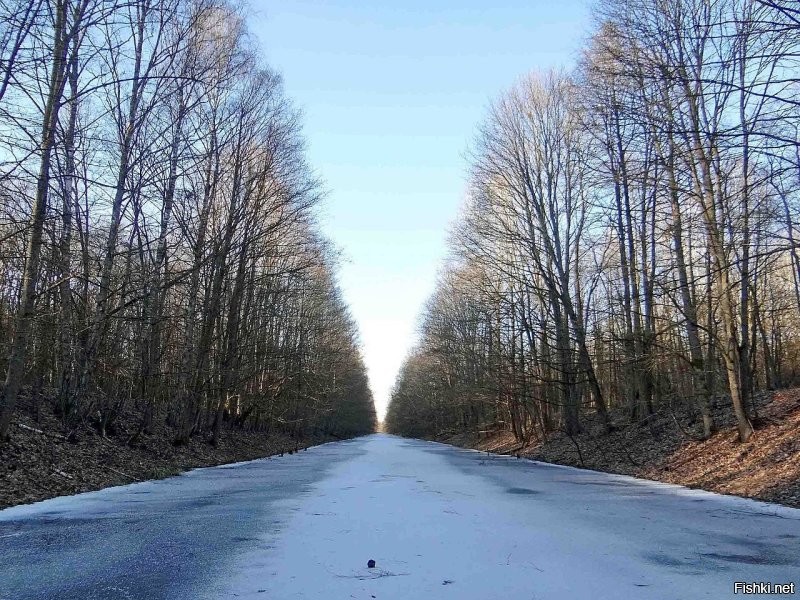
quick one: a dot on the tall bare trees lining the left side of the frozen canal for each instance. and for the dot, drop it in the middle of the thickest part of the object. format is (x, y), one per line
(159, 251)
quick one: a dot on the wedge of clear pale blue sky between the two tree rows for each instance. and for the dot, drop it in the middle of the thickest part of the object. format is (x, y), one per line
(392, 94)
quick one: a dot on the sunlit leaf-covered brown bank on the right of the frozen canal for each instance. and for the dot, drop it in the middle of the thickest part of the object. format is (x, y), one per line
(666, 448)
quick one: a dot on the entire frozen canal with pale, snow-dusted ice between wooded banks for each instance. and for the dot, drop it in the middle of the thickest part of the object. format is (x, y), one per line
(439, 522)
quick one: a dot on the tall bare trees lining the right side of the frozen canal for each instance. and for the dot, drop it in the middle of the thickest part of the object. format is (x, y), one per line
(630, 238)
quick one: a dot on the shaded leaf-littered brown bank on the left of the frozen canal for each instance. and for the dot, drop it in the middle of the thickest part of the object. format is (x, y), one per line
(39, 462)
